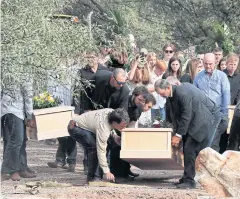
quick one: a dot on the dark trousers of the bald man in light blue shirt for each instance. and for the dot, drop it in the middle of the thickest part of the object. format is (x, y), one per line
(222, 127)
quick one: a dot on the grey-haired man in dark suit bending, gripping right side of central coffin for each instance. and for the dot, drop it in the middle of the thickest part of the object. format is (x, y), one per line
(195, 116)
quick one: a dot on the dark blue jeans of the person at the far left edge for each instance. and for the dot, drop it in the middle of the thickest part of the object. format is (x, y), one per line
(14, 138)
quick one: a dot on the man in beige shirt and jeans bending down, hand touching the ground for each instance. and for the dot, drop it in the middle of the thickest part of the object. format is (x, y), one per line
(92, 130)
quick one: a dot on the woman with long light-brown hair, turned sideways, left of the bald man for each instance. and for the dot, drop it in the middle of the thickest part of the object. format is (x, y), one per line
(191, 71)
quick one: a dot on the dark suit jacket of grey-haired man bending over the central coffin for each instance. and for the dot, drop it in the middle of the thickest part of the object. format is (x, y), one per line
(192, 110)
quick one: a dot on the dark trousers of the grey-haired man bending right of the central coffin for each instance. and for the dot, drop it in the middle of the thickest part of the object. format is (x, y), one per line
(191, 148)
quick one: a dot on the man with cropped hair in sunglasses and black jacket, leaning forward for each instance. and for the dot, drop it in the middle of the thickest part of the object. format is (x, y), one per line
(110, 90)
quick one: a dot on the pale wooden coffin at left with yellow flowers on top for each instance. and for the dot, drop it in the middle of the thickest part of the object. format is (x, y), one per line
(51, 122)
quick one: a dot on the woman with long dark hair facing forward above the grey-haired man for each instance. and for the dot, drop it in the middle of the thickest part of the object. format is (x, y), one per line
(174, 68)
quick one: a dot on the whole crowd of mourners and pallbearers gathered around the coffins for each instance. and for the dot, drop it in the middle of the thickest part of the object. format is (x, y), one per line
(192, 96)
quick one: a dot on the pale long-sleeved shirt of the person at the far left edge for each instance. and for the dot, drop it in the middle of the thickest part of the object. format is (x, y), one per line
(17, 100)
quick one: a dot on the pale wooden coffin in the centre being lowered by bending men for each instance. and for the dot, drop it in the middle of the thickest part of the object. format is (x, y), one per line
(150, 149)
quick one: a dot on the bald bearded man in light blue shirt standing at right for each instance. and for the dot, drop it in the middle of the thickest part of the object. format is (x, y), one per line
(214, 83)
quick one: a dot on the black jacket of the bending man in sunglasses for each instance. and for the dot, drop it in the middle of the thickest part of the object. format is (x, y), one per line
(105, 96)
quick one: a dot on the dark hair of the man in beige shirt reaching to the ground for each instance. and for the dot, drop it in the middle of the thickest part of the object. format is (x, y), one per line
(118, 115)
